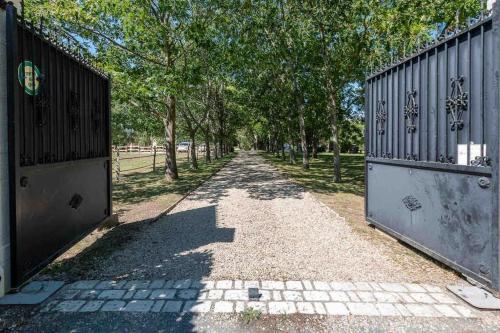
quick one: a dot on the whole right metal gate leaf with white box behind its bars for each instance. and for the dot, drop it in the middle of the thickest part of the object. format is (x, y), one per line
(432, 149)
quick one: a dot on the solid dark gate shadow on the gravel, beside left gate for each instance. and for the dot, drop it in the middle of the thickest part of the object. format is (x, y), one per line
(164, 250)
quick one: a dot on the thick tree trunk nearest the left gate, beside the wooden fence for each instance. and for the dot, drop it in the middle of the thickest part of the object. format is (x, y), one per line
(169, 126)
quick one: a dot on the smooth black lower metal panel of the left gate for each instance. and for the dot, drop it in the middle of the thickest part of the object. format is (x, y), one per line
(60, 203)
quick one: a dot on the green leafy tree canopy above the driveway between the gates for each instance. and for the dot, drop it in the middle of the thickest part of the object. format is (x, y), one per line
(257, 73)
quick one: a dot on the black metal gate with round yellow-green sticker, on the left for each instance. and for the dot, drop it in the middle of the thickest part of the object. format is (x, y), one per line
(60, 168)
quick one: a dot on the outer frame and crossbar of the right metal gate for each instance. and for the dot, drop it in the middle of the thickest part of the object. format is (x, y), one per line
(494, 284)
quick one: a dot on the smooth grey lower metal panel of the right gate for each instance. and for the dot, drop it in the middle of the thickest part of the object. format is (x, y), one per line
(435, 209)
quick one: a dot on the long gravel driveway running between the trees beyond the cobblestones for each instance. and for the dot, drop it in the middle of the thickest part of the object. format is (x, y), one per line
(250, 223)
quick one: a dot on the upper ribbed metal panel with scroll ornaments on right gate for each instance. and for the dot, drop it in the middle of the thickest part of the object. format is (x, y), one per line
(464, 61)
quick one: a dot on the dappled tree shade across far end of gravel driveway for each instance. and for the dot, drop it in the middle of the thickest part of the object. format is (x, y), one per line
(256, 177)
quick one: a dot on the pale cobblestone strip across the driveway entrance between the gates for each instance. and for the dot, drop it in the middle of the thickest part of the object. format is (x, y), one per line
(276, 297)
